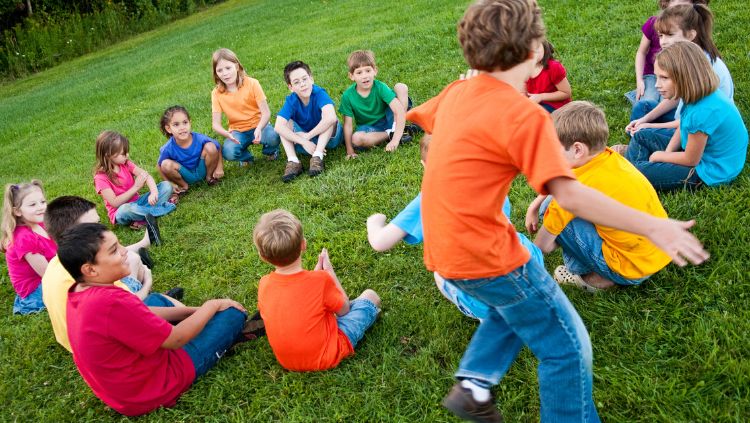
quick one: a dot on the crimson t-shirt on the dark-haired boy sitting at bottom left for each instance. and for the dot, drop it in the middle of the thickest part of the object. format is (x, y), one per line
(116, 342)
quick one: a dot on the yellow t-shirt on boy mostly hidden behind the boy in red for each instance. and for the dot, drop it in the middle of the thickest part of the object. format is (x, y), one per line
(55, 285)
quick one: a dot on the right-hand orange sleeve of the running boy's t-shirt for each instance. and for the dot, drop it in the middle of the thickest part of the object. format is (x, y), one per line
(535, 150)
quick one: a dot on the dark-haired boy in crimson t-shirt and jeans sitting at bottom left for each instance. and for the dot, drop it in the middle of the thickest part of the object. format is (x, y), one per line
(134, 359)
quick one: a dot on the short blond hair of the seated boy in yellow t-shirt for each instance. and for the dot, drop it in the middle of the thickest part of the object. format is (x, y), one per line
(581, 121)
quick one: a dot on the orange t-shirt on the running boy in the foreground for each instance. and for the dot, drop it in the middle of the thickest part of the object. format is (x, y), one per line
(484, 133)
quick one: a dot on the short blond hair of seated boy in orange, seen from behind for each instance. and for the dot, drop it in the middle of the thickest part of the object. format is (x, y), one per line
(278, 237)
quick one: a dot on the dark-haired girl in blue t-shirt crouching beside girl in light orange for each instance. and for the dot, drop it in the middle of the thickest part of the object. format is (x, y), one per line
(188, 157)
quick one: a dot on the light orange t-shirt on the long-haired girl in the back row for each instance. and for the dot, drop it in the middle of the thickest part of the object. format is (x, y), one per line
(241, 106)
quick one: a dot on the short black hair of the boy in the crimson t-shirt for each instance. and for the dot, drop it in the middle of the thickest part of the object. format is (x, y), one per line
(78, 245)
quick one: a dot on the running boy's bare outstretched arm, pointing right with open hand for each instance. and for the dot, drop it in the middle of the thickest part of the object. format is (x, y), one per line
(671, 236)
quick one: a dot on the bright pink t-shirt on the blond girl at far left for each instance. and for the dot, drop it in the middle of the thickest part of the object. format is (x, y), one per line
(23, 277)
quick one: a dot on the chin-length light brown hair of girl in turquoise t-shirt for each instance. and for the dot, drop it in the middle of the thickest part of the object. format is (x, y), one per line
(689, 69)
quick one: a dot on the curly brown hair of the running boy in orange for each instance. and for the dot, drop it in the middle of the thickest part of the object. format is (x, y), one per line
(499, 34)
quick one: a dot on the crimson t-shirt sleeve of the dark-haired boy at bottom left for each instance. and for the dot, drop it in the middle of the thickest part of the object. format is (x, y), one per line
(134, 325)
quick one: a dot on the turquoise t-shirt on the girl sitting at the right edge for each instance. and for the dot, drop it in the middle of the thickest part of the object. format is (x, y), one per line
(726, 148)
